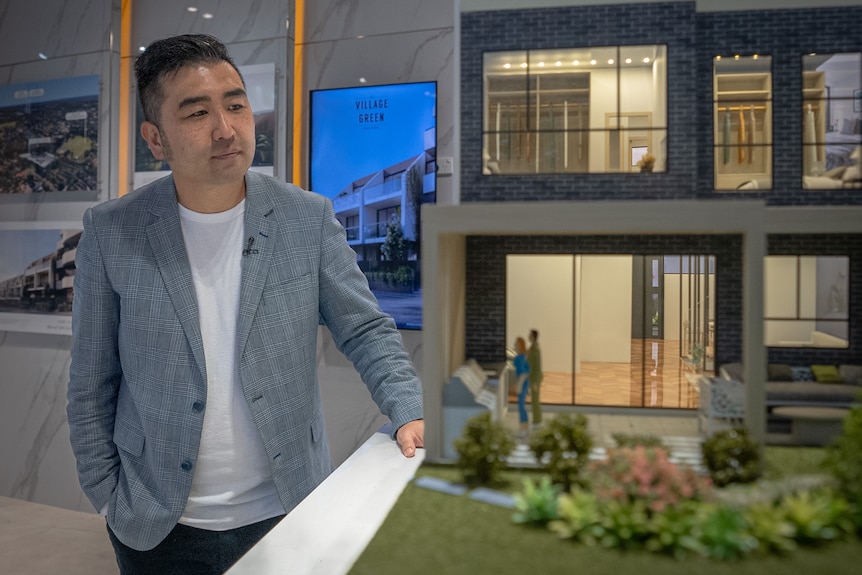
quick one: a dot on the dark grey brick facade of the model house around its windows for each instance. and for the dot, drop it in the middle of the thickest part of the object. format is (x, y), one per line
(692, 40)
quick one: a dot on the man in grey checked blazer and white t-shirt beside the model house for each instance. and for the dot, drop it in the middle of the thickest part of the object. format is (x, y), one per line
(194, 409)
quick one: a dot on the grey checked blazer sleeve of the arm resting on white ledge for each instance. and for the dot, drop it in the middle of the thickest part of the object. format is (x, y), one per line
(362, 331)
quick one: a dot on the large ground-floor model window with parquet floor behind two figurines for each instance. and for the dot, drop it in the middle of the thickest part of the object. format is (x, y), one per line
(619, 330)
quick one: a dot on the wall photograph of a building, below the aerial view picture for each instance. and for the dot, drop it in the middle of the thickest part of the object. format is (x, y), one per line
(37, 270)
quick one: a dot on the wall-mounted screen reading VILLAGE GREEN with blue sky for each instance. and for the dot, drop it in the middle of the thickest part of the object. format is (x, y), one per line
(373, 152)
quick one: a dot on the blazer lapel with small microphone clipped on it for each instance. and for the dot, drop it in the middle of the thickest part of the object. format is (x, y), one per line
(260, 230)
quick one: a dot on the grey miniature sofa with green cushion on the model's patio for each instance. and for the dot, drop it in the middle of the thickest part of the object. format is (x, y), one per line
(818, 385)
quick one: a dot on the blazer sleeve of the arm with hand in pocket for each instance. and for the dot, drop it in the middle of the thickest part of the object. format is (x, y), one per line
(95, 374)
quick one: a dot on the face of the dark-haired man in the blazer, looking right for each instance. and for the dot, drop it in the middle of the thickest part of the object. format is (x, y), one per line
(206, 126)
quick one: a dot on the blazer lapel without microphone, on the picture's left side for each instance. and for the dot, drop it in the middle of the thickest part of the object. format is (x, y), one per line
(165, 236)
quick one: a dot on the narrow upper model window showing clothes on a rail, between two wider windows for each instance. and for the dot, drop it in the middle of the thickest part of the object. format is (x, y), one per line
(742, 116)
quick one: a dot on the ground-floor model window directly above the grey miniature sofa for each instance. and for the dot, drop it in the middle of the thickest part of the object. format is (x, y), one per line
(805, 301)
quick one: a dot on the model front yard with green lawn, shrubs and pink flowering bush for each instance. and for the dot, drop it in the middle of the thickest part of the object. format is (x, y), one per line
(636, 513)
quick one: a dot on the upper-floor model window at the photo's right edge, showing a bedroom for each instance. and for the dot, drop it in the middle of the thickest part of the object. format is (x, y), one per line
(831, 121)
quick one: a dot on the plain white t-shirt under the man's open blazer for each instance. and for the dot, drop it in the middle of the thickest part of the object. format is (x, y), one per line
(232, 485)
